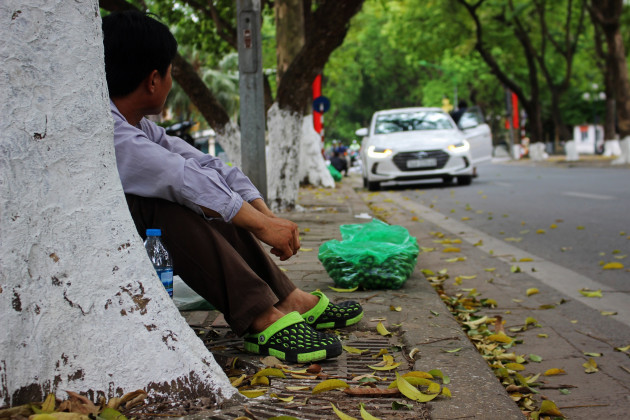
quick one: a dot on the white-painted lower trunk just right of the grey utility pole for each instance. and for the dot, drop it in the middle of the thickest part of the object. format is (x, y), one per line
(284, 130)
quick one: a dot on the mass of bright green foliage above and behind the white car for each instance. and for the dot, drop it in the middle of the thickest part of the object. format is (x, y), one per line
(415, 53)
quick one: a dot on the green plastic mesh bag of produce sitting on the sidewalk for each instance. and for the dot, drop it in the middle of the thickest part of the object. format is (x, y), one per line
(372, 255)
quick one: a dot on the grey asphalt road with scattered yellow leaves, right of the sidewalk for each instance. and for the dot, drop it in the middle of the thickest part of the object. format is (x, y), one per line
(548, 228)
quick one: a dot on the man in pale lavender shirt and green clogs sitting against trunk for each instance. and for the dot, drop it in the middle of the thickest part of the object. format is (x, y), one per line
(211, 215)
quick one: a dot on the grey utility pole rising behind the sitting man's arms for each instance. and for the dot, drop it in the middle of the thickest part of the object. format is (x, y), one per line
(251, 93)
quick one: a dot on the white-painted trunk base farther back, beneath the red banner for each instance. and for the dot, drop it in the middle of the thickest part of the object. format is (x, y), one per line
(312, 168)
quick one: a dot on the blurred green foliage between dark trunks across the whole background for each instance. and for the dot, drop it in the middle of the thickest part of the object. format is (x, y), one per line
(401, 53)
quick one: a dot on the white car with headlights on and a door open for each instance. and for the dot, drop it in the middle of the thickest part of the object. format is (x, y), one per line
(409, 144)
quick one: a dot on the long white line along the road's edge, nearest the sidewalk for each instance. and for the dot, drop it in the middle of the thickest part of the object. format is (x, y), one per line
(553, 275)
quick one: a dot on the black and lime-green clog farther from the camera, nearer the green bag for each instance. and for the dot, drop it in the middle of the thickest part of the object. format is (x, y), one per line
(330, 315)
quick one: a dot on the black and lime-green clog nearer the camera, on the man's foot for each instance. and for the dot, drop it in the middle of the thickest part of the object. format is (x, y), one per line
(290, 338)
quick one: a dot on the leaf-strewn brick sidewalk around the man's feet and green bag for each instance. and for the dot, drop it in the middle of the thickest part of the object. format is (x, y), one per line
(423, 323)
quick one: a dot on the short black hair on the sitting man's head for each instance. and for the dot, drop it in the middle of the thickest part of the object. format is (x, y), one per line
(135, 45)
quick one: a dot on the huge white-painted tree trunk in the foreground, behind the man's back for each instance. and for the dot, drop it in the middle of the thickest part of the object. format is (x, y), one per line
(82, 308)
